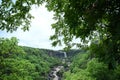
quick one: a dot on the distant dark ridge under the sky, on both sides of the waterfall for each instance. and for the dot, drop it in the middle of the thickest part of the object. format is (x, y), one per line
(53, 53)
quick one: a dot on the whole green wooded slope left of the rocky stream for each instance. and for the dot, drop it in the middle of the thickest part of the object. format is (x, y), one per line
(23, 63)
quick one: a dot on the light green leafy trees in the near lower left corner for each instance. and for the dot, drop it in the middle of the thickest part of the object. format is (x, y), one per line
(12, 66)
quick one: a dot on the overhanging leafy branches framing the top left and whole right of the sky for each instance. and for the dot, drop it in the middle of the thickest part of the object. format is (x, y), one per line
(80, 19)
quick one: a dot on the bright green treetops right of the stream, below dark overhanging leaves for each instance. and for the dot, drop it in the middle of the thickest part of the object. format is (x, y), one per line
(85, 66)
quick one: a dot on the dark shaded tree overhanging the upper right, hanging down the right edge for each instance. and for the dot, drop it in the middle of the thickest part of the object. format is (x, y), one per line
(85, 19)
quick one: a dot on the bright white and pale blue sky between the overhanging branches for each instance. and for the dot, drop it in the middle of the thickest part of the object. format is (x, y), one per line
(40, 30)
